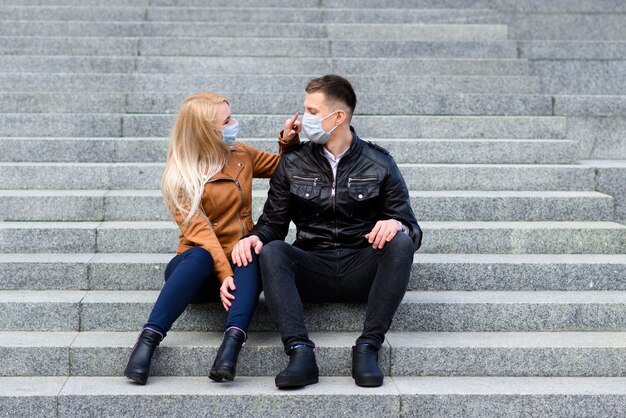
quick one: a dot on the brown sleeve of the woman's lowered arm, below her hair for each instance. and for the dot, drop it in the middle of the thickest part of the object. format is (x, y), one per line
(200, 231)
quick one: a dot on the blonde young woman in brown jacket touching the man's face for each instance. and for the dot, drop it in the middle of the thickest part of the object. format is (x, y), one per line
(207, 187)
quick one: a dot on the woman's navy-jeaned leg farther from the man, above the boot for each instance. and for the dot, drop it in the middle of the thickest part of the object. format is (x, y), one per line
(188, 276)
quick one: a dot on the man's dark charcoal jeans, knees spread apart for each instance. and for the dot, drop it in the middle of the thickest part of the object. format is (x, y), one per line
(376, 277)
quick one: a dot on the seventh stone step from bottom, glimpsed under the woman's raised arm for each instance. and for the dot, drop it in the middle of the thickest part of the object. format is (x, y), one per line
(424, 177)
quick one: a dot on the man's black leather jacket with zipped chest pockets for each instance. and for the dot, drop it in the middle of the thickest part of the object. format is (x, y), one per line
(330, 214)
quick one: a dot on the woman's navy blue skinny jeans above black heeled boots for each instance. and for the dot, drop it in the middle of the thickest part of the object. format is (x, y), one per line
(190, 278)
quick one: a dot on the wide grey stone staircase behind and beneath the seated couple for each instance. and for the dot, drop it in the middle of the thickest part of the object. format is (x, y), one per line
(517, 301)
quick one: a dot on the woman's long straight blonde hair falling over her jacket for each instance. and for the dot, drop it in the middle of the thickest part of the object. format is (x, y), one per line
(196, 152)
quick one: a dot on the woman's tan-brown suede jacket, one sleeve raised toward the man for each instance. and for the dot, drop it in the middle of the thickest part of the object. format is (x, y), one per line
(227, 202)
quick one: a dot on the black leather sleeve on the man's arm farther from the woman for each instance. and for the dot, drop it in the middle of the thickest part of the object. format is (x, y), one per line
(396, 203)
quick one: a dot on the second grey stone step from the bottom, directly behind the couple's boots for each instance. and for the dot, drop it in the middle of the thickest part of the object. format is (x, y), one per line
(403, 354)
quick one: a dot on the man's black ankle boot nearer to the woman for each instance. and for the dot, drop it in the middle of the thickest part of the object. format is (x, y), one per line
(302, 369)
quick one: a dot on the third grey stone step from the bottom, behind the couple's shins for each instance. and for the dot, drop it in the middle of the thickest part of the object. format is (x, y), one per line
(449, 311)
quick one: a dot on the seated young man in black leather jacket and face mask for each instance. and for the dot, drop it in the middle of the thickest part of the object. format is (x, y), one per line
(356, 233)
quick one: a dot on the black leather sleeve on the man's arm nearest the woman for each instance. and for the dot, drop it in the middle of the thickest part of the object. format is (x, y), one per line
(273, 224)
